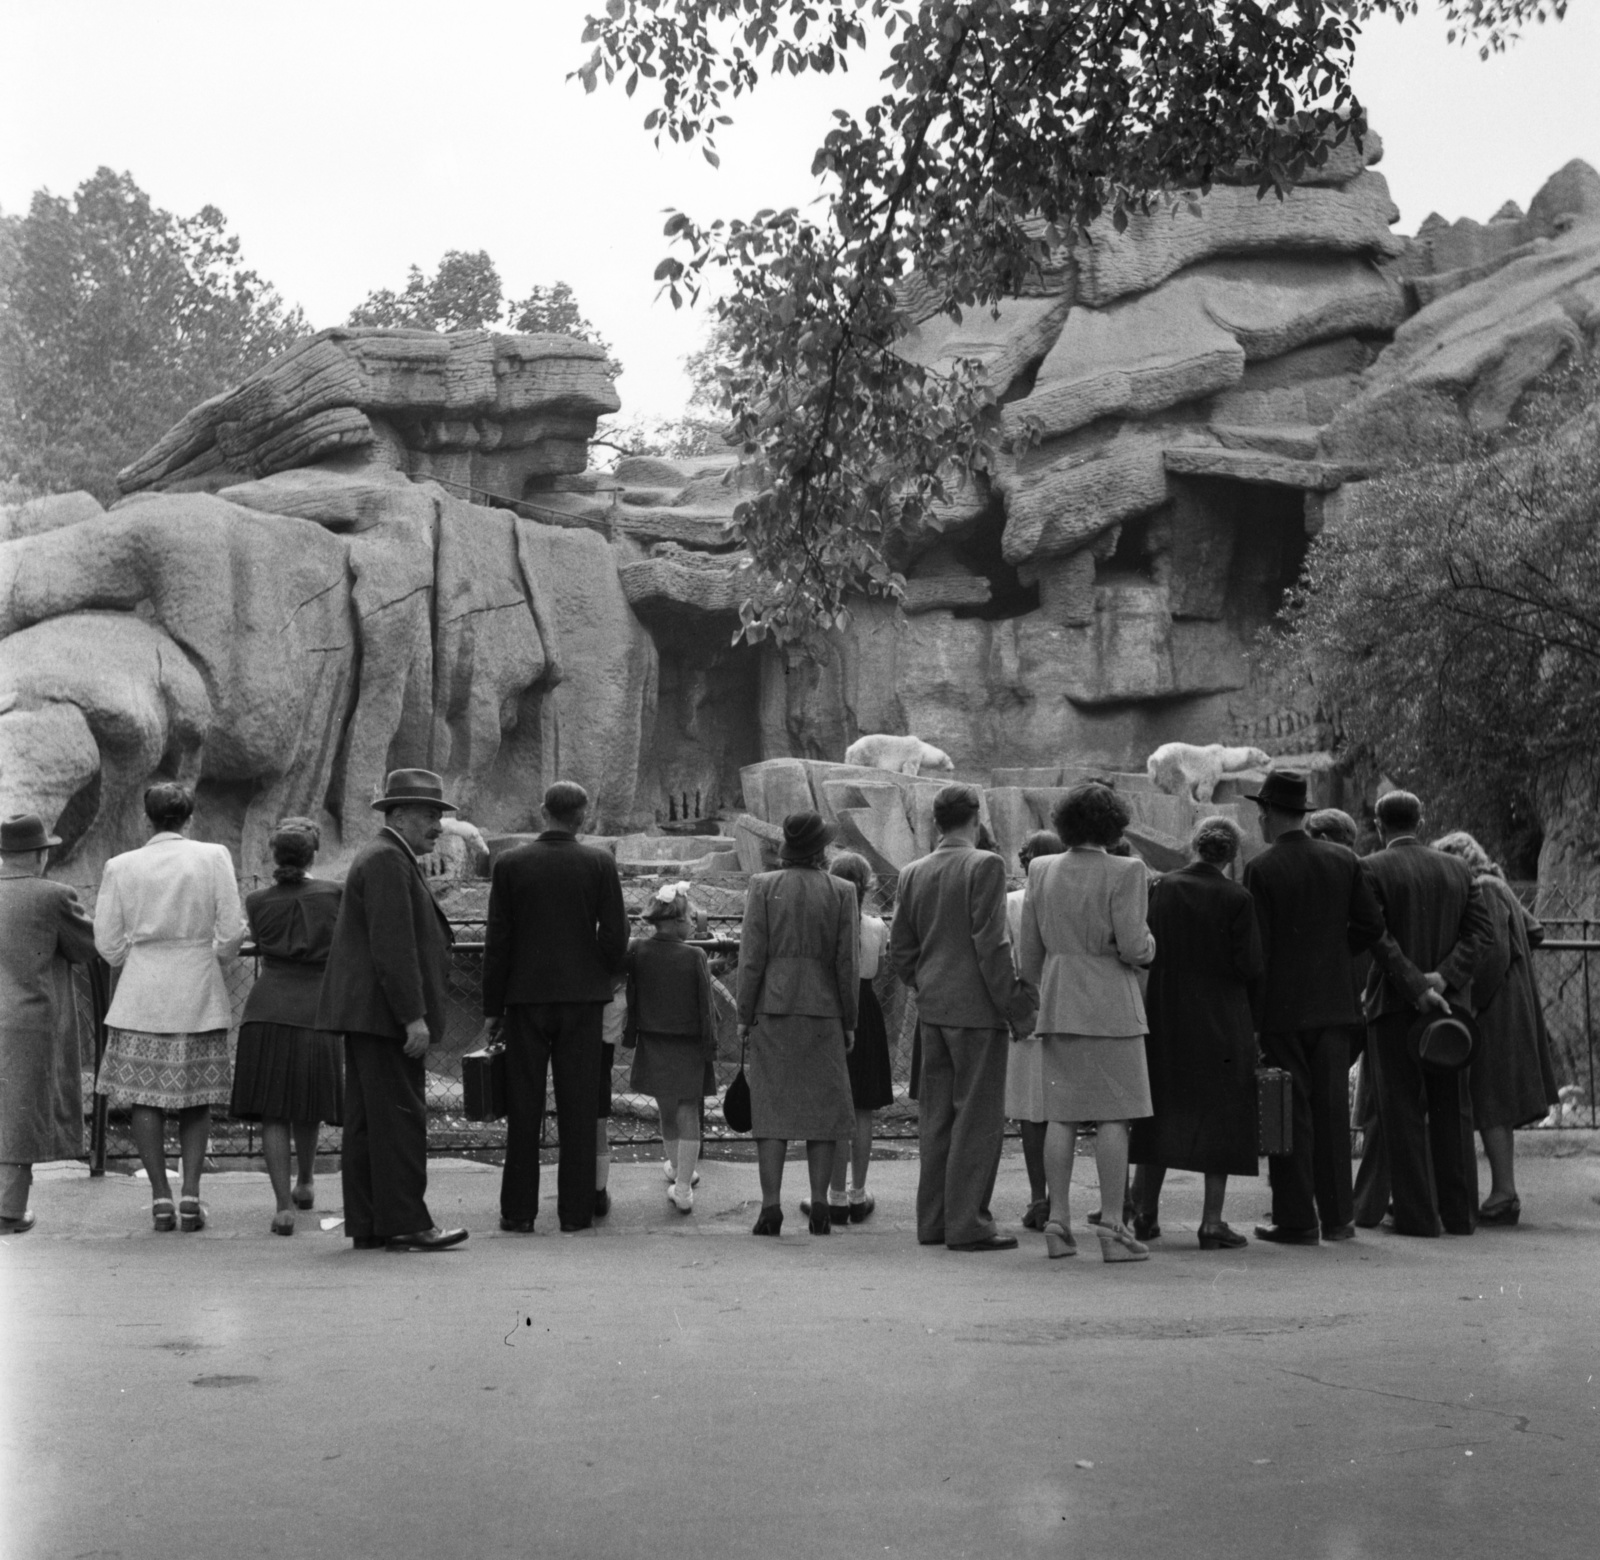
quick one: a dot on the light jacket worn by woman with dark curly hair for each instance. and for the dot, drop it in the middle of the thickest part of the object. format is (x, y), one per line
(1084, 937)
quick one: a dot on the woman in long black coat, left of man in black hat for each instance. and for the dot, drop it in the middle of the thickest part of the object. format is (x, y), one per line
(1202, 1042)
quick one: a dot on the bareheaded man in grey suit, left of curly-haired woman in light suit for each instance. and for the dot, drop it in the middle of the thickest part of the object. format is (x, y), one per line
(951, 946)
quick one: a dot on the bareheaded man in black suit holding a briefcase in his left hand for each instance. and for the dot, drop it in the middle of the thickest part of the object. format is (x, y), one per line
(554, 946)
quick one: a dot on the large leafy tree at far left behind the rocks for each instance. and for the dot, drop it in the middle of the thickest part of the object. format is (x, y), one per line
(116, 318)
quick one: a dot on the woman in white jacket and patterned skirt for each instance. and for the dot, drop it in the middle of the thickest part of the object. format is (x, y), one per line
(169, 918)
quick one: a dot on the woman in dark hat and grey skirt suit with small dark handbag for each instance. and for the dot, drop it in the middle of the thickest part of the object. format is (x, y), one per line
(798, 1004)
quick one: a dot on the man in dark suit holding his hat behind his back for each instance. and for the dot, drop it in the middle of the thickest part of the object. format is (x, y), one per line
(1438, 916)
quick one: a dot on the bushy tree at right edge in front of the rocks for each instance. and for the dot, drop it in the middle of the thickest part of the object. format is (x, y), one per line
(1455, 620)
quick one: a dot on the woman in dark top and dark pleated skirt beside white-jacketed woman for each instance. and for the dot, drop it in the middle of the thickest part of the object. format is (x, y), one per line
(289, 1074)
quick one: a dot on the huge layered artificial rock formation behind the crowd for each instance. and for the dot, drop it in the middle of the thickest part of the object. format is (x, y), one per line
(388, 550)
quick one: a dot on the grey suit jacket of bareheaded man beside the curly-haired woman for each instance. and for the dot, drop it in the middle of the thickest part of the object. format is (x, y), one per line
(951, 945)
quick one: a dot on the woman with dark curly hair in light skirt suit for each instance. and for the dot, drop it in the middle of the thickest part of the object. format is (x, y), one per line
(1084, 940)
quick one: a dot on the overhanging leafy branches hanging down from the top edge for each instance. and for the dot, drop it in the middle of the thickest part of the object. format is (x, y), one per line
(1006, 129)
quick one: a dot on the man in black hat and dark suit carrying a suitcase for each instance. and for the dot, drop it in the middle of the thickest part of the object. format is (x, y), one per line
(1314, 908)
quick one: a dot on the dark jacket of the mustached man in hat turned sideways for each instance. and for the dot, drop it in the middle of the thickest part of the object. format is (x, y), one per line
(390, 959)
